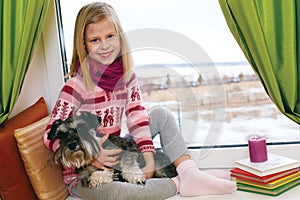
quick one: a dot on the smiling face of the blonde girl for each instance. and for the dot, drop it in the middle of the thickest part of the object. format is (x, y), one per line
(102, 42)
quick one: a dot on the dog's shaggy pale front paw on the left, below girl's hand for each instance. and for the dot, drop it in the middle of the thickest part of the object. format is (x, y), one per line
(99, 178)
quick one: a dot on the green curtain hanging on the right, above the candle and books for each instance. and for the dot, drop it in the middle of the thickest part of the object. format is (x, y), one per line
(268, 32)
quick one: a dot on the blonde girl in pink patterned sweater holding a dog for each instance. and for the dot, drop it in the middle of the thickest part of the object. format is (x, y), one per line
(103, 83)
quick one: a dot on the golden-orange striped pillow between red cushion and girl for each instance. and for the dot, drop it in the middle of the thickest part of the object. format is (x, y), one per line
(45, 175)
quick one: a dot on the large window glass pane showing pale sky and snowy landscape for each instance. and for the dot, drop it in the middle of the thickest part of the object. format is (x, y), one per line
(171, 78)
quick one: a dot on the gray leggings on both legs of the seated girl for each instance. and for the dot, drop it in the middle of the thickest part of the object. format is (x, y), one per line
(163, 123)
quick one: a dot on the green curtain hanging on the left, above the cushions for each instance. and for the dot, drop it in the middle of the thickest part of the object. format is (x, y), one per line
(21, 27)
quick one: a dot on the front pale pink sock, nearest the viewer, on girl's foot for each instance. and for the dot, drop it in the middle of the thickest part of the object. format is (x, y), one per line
(193, 182)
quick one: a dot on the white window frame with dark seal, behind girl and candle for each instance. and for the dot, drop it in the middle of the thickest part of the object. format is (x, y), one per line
(206, 157)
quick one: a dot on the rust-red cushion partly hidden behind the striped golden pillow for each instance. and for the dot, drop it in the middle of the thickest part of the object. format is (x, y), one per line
(14, 182)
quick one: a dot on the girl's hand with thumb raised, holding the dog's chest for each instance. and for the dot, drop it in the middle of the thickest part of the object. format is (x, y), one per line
(108, 158)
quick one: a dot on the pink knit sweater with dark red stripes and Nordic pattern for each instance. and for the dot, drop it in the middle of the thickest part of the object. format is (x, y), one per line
(110, 106)
